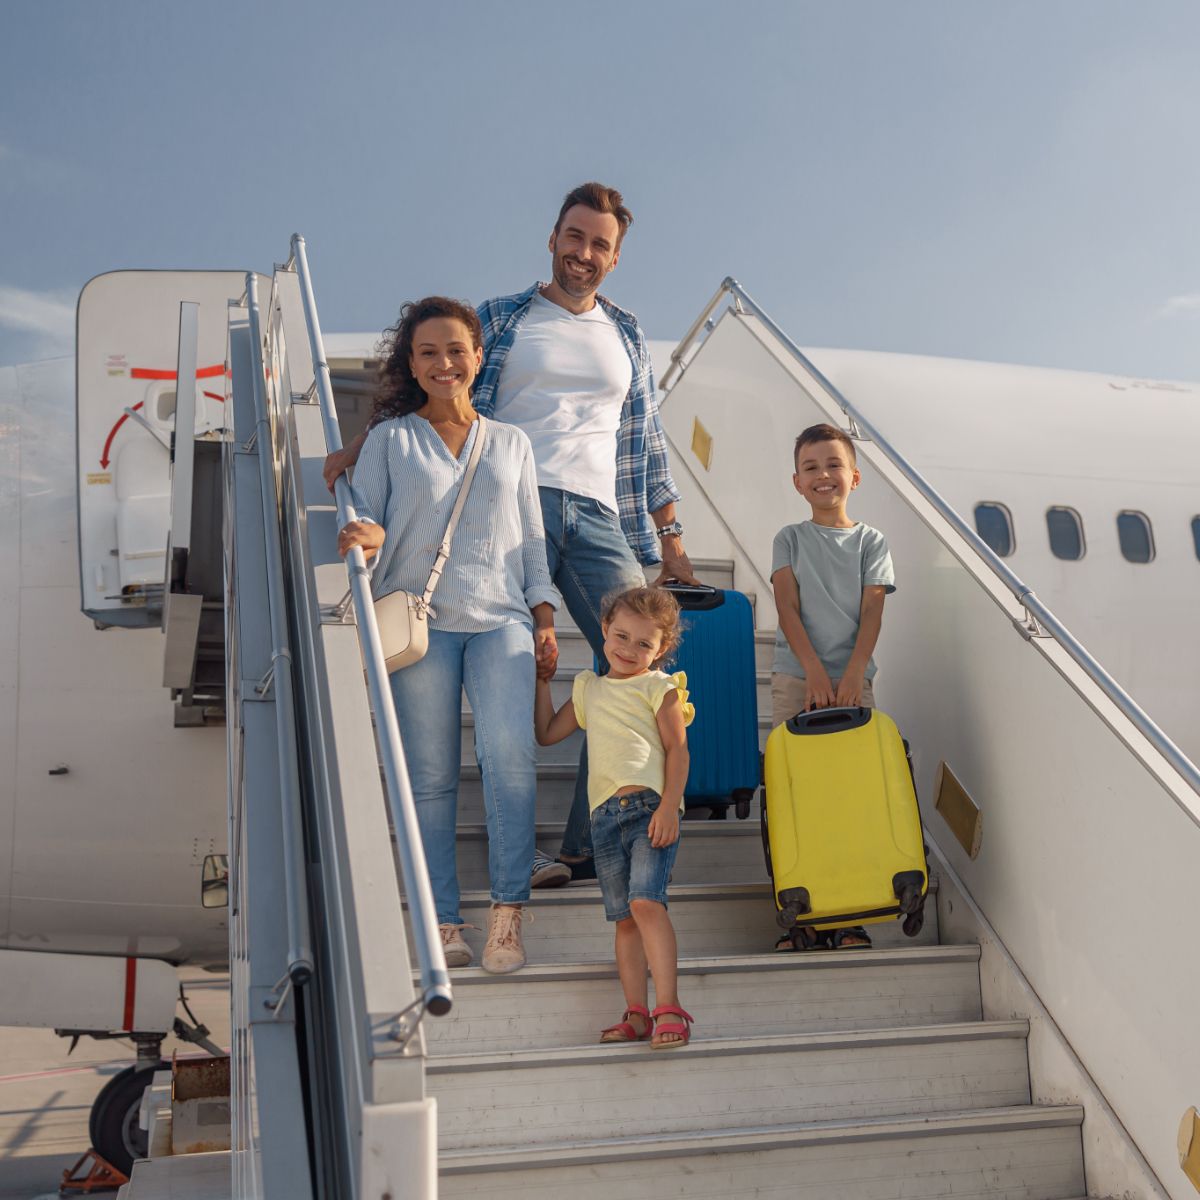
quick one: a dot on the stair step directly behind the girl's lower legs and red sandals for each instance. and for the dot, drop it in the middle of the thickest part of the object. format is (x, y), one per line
(568, 1005)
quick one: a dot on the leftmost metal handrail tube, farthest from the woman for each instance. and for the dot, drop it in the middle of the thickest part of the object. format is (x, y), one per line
(299, 947)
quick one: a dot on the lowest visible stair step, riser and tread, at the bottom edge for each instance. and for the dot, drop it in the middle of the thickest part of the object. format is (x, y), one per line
(1006, 1154)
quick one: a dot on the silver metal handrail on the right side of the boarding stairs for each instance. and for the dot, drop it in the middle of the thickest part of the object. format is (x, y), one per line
(1024, 595)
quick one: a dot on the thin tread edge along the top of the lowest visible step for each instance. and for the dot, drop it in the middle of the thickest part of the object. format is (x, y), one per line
(583, 1153)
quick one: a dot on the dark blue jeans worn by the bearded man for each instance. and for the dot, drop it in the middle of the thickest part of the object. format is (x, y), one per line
(589, 560)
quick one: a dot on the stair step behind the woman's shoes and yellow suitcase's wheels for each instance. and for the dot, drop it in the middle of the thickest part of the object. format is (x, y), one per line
(569, 926)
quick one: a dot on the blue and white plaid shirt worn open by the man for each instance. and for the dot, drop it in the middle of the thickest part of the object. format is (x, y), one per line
(644, 479)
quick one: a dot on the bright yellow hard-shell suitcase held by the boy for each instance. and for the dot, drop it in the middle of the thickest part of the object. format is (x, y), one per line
(841, 824)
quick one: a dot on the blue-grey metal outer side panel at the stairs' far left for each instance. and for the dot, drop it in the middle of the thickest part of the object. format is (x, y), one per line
(268, 1111)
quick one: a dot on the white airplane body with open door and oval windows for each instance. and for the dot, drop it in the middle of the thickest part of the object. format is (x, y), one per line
(112, 808)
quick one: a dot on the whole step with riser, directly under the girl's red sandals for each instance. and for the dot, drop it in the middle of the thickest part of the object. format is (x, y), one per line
(497, 1100)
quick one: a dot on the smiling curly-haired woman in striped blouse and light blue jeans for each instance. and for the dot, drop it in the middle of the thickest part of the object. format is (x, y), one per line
(495, 590)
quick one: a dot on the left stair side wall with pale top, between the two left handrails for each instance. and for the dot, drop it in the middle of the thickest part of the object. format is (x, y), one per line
(367, 1046)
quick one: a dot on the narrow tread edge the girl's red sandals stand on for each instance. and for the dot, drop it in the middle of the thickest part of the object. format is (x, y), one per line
(700, 1047)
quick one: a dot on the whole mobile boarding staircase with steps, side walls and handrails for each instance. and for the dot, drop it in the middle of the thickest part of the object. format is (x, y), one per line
(1034, 1043)
